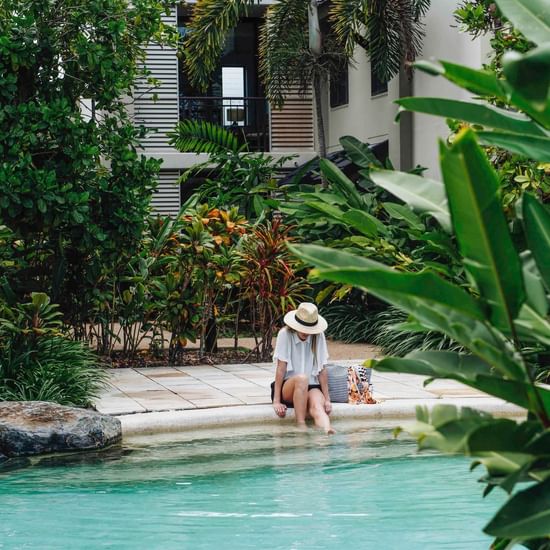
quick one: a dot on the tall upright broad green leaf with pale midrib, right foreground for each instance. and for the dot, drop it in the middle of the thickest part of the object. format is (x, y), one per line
(481, 229)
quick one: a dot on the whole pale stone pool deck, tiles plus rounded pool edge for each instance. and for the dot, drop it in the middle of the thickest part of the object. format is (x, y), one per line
(179, 399)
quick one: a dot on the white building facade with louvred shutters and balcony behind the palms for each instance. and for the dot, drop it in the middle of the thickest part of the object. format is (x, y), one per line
(357, 105)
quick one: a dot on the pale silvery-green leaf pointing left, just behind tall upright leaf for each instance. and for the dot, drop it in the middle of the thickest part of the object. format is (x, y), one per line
(421, 194)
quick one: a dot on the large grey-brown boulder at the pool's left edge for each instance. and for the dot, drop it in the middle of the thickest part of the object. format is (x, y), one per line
(37, 427)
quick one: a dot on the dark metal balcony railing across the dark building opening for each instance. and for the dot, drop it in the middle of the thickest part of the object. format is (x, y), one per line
(246, 117)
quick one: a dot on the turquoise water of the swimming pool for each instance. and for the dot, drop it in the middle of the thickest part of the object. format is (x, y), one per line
(247, 489)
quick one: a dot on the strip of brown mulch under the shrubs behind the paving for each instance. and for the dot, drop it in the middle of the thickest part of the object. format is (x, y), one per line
(224, 356)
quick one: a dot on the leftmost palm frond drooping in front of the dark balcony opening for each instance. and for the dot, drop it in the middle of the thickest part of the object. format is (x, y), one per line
(211, 20)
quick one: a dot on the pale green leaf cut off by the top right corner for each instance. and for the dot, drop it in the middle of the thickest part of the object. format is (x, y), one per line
(531, 17)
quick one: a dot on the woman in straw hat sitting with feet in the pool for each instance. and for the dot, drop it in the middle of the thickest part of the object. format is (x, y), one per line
(301, 378)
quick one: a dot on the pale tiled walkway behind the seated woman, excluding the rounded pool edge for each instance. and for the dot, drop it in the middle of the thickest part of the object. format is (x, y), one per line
(202, 387)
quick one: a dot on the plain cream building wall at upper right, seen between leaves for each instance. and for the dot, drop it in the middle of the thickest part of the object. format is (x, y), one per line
(372, 119)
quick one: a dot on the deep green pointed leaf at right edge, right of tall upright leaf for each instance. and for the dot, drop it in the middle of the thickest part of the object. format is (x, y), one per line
(536, 221)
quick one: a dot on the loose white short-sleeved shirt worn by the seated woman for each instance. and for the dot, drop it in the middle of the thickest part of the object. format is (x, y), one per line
(298, 355)
